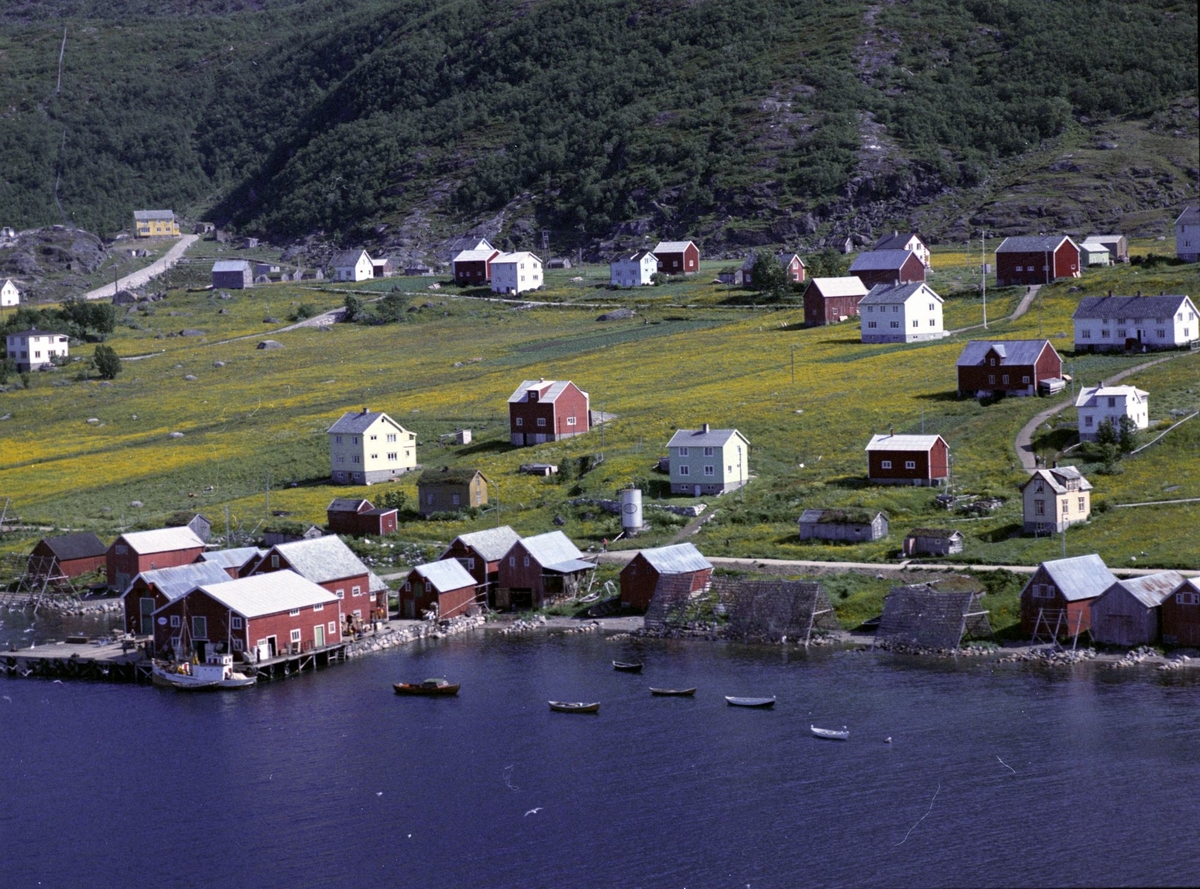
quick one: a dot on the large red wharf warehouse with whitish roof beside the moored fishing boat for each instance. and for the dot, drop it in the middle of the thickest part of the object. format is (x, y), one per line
(267, 615)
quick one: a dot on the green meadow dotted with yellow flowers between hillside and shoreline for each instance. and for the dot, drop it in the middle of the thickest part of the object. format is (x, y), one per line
(80, 453)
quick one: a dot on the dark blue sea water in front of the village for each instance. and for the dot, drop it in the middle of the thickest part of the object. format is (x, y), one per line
(995, 776)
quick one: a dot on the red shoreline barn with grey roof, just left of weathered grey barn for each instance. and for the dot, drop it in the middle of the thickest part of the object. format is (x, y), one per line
(1058, 599)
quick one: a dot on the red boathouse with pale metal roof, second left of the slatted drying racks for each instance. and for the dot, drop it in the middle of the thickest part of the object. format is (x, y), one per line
(539, 569)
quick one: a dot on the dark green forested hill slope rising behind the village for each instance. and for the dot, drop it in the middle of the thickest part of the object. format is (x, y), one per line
(599, 121)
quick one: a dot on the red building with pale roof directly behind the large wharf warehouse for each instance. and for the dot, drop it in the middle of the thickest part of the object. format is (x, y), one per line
(331, 564)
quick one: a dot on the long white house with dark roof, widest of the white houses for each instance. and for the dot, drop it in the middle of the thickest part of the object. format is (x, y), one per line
(1139, 323)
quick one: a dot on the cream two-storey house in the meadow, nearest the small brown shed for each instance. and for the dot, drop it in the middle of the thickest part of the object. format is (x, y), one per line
(367, 447)
